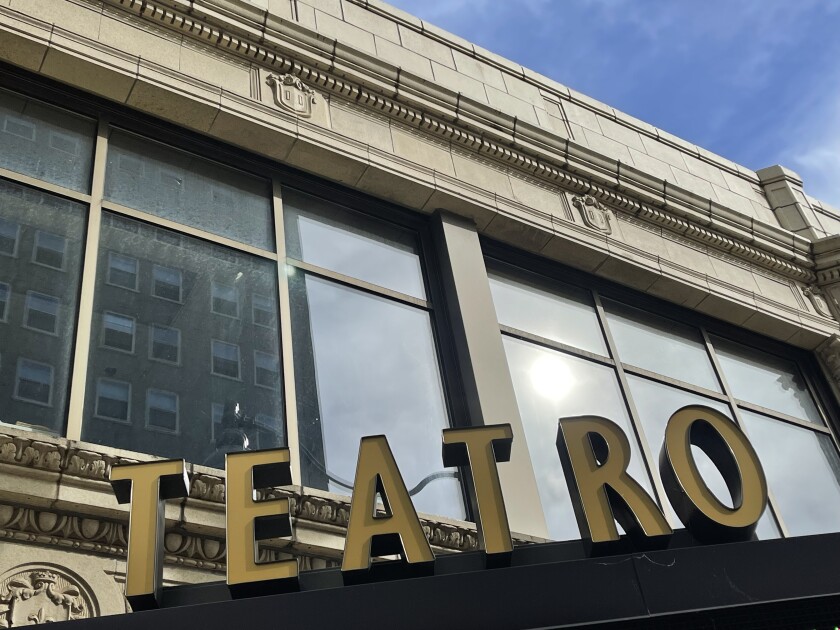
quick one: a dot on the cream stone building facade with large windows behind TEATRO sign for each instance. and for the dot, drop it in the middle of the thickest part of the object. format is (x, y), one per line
(232, 225)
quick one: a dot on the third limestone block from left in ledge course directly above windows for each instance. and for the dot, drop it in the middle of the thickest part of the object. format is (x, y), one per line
(175, 97)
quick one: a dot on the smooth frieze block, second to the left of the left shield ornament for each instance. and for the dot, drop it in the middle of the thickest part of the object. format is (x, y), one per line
(139, 39)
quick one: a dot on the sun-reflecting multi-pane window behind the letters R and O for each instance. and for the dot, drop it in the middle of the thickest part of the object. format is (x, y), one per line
(643, 370)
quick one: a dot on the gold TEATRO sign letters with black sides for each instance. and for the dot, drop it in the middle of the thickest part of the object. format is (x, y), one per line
(594, 453)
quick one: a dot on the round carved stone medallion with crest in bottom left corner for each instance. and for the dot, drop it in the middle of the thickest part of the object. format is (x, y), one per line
(33, 595)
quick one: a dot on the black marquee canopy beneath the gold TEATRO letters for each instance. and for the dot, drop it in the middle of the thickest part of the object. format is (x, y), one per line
(788, 583)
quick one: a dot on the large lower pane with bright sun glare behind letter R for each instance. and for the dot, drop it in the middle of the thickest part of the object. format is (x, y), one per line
(551, 385)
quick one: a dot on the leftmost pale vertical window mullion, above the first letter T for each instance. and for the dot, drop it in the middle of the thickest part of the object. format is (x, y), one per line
(84, 325)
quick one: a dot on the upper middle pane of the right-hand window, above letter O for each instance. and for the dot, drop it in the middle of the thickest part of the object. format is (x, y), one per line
(660, 345)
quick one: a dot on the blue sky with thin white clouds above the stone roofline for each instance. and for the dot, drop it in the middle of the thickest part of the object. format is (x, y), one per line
(756, 81)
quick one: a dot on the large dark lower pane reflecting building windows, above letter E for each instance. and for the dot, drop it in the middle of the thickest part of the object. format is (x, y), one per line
(186, 351)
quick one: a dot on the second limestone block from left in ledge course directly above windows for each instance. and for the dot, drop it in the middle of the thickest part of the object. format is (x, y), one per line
(91, 67)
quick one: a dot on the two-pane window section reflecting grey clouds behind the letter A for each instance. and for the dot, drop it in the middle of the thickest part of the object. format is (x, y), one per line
(365, 353)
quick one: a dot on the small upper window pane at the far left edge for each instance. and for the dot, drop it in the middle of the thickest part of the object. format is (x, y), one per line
(45, 142)
